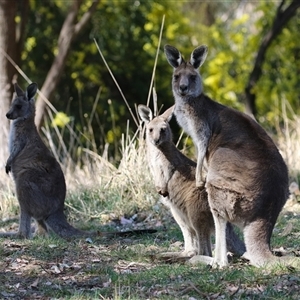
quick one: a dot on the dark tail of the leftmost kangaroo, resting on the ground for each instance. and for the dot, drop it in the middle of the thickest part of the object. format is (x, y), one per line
(58, 223)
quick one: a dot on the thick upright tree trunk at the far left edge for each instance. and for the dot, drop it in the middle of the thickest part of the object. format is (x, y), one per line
(8, 10)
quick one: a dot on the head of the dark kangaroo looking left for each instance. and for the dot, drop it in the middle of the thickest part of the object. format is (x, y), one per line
(22, 107)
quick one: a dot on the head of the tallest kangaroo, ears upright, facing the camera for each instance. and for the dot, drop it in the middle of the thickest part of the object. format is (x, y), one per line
(186, 80)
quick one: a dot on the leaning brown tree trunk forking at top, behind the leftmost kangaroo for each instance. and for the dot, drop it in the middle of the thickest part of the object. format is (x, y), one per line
(70, 29)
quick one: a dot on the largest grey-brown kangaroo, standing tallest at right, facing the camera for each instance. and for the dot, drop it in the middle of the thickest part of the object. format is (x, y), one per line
(247, 179)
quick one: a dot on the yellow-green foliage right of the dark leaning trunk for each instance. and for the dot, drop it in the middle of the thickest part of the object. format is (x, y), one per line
(280, 80)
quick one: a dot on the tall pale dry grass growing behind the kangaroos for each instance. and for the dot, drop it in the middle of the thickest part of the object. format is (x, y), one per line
(126, 186)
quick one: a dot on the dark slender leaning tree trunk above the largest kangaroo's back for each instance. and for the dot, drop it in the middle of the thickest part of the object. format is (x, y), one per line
(281, 18)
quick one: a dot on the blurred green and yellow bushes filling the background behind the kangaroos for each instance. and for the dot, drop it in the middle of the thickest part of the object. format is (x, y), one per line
(127, 33)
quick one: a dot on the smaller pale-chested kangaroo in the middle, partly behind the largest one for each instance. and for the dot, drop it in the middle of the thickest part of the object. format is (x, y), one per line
(174, 177)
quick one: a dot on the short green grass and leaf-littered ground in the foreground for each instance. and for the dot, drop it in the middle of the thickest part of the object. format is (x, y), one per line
(127, 268)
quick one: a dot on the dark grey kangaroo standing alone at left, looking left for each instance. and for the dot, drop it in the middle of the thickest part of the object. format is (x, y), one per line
(39, 180)
